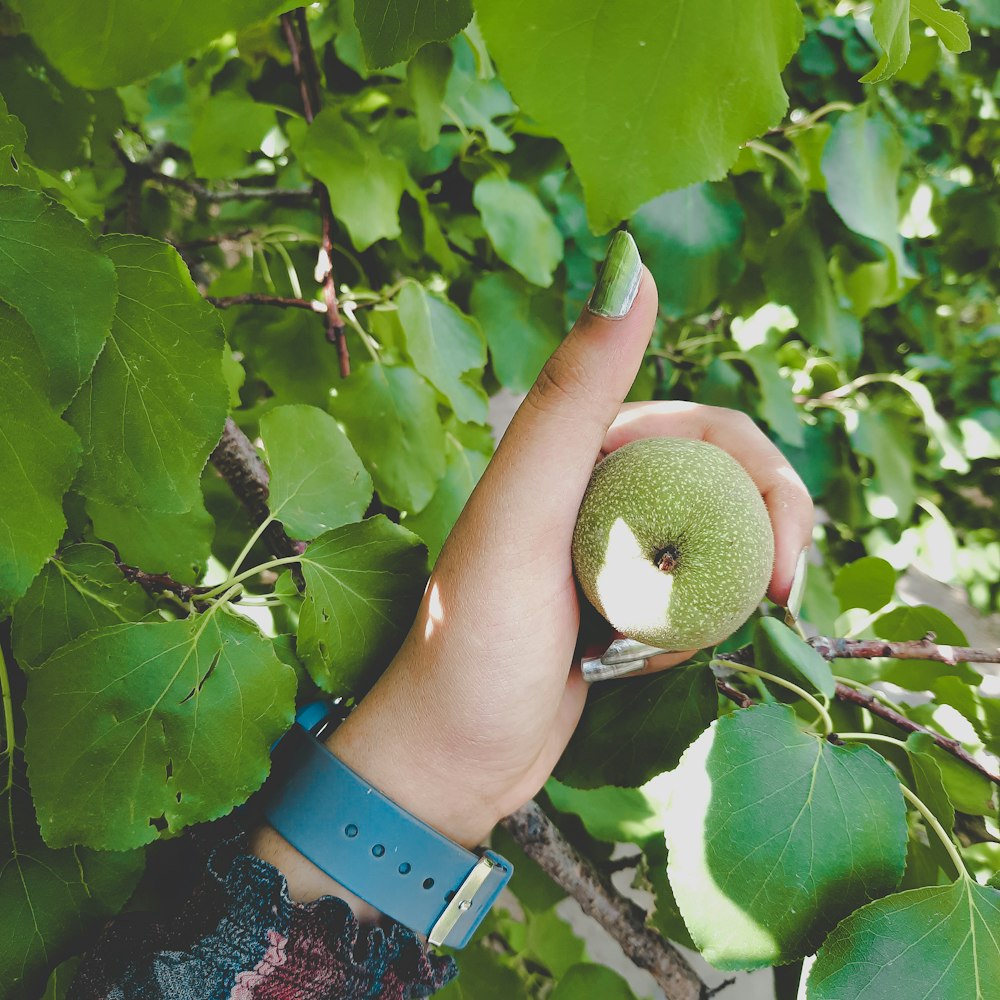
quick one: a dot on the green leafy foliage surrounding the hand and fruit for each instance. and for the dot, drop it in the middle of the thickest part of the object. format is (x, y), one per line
(813, 191)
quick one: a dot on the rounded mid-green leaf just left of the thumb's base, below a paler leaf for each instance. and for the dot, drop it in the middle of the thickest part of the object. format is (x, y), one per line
(390, 414)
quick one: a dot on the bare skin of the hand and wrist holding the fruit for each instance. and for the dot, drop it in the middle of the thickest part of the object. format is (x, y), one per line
(472, 714)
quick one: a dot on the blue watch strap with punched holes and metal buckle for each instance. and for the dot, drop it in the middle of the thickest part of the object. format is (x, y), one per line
(385, 855)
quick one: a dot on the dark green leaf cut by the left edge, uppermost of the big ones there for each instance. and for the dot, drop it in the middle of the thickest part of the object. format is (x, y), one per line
(69, 306)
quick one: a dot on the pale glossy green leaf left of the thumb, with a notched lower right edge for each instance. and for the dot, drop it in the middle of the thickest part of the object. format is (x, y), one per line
(447, 348)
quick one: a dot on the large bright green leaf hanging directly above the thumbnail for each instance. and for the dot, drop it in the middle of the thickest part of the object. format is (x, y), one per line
(621, 71)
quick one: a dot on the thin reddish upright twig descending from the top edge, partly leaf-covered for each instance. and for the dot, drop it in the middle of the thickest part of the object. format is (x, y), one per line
(296, 31)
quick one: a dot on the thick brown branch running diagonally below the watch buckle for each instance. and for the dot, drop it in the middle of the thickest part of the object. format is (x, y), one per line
(623, 919)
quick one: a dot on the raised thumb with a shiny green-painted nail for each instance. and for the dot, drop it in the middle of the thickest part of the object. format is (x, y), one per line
(545, 459)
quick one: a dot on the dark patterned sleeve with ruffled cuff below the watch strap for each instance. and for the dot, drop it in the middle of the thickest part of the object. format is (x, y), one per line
(240, 937)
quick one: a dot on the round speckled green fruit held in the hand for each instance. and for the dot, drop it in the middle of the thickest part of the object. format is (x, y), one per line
(693, 501)
